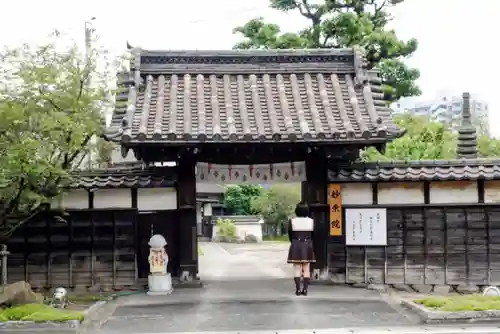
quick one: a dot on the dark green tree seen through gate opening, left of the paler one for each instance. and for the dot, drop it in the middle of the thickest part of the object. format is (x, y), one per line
(238, 198)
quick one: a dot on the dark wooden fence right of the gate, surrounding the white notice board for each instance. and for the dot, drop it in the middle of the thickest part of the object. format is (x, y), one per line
(426, 245)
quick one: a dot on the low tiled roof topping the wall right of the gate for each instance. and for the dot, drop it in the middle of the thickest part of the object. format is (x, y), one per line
(418, 171)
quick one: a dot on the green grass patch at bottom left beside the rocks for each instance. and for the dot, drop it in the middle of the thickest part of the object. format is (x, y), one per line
(38, 313)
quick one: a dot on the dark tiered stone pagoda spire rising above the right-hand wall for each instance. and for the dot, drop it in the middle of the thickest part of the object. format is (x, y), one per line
(467, 138)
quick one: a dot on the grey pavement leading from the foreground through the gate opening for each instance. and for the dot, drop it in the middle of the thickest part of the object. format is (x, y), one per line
(249, 287)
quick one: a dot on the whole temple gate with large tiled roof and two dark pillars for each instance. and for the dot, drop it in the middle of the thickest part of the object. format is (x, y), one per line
(233, 108)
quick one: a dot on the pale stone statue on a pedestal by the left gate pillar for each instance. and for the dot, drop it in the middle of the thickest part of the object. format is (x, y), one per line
(159, 281)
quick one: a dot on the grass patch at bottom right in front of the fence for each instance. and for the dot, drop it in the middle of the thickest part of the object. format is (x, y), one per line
(461, 303)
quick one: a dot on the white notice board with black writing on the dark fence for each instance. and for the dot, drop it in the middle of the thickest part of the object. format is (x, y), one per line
(366, 227)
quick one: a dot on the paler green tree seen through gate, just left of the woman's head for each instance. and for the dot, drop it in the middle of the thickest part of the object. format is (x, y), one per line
(277, 204)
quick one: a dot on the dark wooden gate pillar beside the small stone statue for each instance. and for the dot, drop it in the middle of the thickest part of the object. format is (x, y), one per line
(186, 204)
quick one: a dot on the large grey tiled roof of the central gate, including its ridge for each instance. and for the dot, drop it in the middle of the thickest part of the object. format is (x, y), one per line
(273, 95)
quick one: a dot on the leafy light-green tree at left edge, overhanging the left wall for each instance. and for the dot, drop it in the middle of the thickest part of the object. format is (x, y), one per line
(49, 111)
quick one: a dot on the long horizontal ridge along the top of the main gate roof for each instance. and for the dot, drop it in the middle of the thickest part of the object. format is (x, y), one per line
(247, 61)
